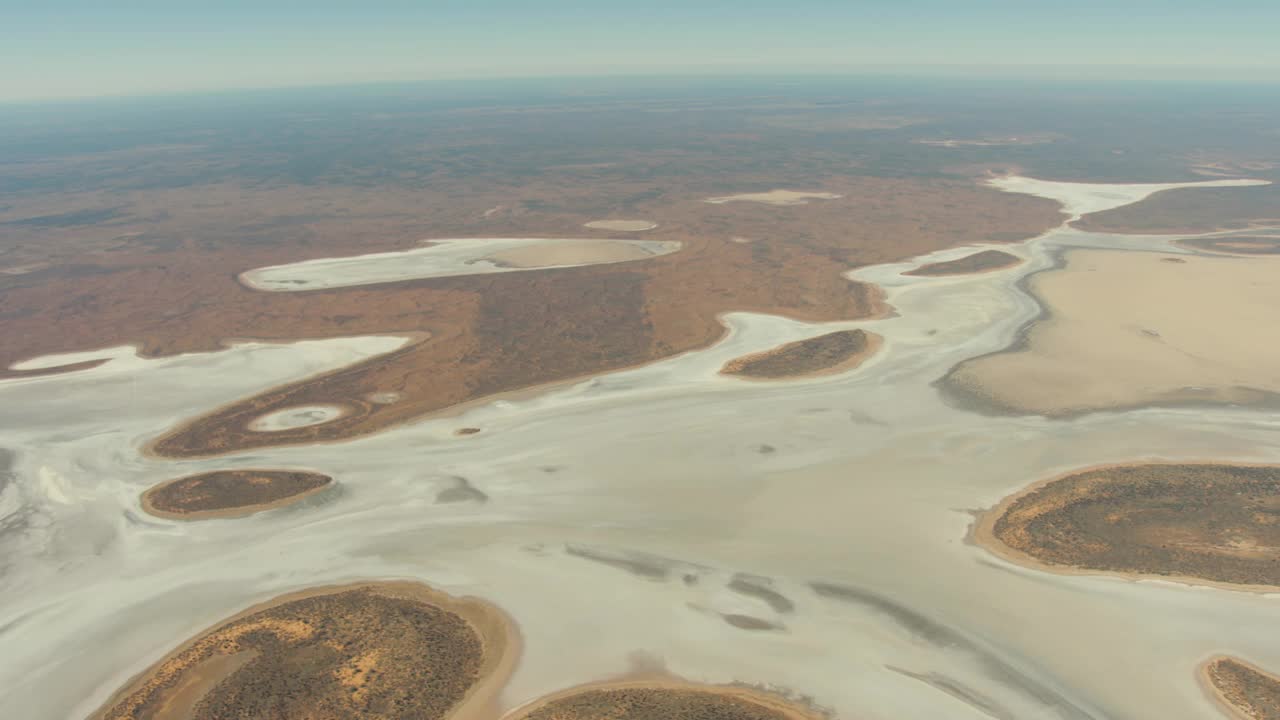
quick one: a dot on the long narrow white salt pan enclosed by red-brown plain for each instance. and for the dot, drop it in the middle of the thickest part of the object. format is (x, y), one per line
(449, 258)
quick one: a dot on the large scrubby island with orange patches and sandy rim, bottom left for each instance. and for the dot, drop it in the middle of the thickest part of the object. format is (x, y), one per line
(381, 650)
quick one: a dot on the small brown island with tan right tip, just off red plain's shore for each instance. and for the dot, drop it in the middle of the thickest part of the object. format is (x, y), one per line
(826, 354)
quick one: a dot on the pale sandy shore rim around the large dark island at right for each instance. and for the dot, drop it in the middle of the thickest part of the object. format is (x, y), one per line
(982, 534)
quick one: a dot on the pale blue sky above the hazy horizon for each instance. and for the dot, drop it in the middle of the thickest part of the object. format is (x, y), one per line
(83, 48)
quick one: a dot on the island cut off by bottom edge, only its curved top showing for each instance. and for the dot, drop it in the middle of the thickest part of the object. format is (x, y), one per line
(639, 700)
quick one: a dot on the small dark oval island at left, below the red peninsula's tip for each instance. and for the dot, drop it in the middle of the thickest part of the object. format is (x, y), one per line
(228, 494)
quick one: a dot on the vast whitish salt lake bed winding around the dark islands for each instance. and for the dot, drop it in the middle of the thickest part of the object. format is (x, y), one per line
(623, 514)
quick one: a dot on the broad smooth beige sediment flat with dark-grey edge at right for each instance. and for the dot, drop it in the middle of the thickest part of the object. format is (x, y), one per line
(1126, 330)
